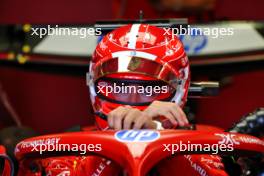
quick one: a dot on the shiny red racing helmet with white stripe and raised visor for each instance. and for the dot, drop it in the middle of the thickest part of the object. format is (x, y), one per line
(136, 65)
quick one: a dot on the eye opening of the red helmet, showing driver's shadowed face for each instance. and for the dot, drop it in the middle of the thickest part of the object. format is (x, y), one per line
(133, 92)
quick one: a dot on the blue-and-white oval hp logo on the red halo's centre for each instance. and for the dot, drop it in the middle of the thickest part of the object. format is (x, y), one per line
(137, 135)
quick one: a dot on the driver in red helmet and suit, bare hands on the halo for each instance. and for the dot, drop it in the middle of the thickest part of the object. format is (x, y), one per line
(138, 79)
